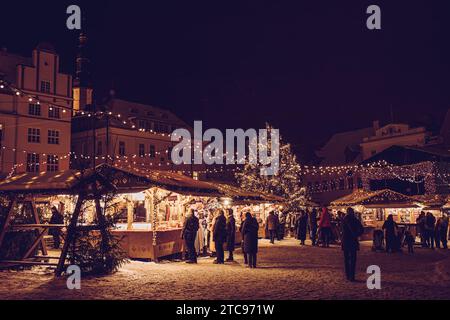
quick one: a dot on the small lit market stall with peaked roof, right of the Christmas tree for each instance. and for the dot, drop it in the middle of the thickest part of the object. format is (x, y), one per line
(374, 207)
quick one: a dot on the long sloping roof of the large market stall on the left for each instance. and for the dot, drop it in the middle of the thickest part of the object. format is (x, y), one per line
(71, 182)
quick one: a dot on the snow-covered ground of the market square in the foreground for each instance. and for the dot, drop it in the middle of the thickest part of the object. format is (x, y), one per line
(286, 271)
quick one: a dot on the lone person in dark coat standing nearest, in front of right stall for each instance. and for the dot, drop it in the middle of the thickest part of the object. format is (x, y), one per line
(352, 229)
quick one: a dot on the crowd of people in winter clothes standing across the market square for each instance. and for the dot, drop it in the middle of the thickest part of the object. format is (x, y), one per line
(321, 227)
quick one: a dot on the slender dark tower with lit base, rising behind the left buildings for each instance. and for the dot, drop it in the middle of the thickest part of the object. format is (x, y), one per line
(82, 84)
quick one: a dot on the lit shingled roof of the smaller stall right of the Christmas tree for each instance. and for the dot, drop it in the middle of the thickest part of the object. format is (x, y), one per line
(383, 199)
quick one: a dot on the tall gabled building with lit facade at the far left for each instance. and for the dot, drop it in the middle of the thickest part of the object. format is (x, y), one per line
(35, 120)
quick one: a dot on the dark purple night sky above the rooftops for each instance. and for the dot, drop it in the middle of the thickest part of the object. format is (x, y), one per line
(310, 68)
